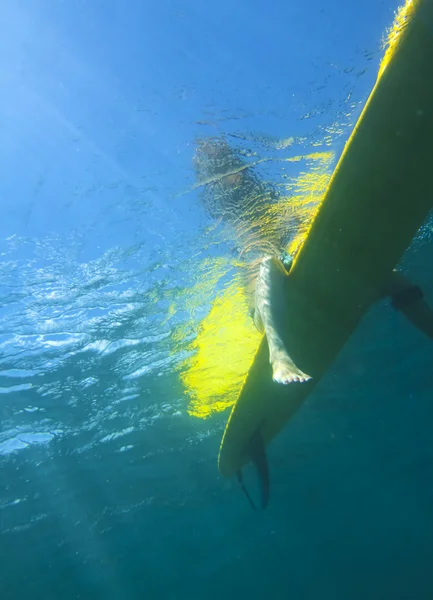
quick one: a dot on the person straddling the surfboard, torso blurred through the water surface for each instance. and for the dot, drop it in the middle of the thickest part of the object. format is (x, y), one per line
(234, 194)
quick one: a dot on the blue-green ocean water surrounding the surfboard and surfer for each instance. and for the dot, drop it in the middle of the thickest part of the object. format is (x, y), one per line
(109, 488)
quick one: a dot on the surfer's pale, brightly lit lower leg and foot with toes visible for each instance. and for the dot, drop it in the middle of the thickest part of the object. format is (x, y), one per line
(270, 313)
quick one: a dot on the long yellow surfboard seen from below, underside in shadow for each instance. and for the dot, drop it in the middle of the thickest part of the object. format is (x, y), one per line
(379, 196)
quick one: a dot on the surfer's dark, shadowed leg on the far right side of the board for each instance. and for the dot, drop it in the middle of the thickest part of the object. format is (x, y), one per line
(408, 299)
